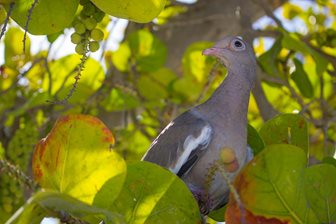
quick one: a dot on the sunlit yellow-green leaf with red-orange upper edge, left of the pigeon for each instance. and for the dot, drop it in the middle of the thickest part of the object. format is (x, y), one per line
(76, 157)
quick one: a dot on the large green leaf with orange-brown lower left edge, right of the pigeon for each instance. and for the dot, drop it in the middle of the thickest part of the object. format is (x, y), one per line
(271, 188)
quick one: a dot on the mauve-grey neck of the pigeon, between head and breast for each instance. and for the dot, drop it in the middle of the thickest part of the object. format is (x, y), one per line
(230, 100)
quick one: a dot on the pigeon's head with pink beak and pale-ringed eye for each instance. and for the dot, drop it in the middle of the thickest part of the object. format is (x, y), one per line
(235, 54)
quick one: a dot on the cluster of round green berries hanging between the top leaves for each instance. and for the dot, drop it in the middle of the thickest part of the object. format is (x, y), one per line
(86, 35)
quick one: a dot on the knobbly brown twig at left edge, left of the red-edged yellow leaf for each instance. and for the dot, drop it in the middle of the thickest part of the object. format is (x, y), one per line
(17, 173)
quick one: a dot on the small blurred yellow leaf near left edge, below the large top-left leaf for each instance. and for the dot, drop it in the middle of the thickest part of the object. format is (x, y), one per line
(14, 56)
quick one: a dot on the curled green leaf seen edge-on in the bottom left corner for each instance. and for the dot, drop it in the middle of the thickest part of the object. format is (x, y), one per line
(48, 203)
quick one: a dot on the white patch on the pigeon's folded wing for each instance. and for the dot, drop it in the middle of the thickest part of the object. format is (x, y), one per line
(191, 143)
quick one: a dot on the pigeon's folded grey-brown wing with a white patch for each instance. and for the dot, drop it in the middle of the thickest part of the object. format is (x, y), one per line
(181, 143)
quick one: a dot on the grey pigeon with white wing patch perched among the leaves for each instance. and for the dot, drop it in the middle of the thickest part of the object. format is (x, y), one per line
(211, 138)
